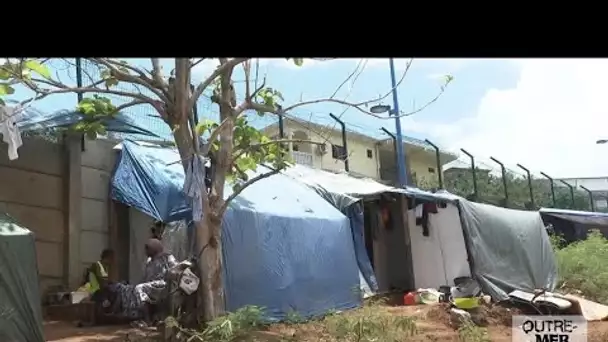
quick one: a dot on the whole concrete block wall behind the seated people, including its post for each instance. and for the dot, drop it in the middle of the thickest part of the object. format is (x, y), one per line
(34, 189)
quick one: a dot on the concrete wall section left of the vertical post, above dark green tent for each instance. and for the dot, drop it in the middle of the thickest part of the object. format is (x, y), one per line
(31, 191)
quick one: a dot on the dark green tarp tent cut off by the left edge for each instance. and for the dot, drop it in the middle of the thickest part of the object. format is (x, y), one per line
(20, 311)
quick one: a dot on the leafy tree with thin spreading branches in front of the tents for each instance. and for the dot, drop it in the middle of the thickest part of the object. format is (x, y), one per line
(233, 146)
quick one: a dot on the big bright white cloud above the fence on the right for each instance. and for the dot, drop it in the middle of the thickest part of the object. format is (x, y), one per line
(548, 122)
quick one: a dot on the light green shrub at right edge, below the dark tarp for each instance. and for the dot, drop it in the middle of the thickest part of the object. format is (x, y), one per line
(583, 266)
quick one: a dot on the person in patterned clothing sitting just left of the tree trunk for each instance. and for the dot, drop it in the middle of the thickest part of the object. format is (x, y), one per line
(136, 299)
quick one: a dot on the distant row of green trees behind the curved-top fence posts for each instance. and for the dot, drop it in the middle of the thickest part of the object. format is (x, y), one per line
(490, 190)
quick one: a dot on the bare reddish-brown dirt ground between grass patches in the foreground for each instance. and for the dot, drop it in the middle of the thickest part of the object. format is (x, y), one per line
(432, 324)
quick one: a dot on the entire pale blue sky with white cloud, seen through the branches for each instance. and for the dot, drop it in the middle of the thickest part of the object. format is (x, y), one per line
(543, 113)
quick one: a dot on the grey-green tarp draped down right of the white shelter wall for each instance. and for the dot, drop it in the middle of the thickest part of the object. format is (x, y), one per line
(509, 249)
